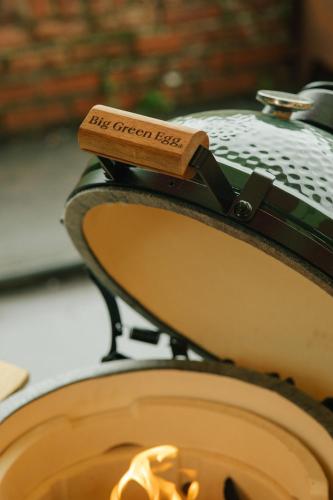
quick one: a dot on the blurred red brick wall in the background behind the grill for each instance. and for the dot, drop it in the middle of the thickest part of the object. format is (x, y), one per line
(59, 57)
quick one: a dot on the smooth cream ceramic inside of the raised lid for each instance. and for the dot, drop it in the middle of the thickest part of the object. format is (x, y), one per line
(228, 296)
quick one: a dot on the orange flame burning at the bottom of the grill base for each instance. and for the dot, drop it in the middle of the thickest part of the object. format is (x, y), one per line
(157, 488)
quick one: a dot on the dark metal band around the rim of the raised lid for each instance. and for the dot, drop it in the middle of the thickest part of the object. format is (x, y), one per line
(271, 224)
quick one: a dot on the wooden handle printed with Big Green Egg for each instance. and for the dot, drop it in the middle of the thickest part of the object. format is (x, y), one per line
(139, 140)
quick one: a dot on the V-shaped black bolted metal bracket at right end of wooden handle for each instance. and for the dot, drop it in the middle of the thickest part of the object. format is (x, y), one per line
(242, 207)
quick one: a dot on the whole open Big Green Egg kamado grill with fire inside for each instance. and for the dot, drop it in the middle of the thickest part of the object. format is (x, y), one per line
(217, 227)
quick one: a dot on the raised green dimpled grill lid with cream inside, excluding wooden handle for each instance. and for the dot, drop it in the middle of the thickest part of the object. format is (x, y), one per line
(255, 290)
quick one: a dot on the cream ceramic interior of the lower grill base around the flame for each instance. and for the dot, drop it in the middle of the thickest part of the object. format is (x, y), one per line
(76, 442)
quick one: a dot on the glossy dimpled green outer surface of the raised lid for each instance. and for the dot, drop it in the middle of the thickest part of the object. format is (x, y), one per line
(299, 155)
